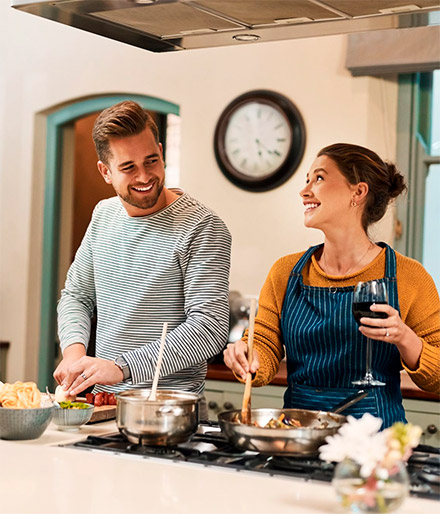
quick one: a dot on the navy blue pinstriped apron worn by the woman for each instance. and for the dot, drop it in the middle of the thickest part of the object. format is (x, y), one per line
(325, 351)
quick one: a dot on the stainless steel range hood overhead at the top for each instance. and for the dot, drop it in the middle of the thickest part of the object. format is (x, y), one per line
(168, 25)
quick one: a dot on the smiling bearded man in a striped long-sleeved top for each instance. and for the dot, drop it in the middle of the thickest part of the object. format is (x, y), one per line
(150, 255)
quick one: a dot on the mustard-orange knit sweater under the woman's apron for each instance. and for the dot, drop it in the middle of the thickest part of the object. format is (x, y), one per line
(418, 300)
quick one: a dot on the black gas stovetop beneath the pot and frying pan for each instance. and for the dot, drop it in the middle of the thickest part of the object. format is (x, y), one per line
(208, 447)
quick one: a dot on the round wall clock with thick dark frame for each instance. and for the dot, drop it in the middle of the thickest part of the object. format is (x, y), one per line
(259, 140)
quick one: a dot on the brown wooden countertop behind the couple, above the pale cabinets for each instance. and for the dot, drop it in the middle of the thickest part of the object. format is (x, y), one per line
(409, 389)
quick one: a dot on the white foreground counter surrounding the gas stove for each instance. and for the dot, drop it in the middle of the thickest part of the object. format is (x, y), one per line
(40, 477)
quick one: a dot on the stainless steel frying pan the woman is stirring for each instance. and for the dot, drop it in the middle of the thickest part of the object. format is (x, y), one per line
(315, 427)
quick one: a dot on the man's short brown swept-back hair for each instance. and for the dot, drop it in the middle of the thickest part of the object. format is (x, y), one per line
(121, 120)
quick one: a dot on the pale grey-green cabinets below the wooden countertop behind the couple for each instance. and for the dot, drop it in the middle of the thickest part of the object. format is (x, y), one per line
(222, 395)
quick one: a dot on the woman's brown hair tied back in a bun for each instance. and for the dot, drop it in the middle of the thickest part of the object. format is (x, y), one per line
(359, 164)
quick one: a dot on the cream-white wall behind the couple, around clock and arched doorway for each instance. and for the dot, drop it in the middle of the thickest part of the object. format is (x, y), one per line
(43, 63)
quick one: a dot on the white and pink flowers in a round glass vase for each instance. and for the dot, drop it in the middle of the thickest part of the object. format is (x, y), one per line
(370, 475)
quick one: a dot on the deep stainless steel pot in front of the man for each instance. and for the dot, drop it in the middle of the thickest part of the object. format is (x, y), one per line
(169, 420)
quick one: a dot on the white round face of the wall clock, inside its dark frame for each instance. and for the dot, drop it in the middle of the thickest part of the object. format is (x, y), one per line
(257, 139)
